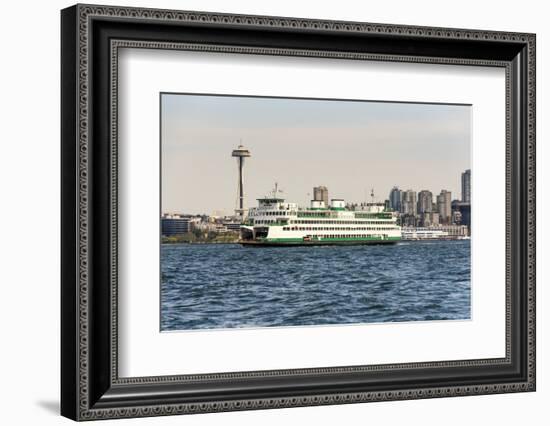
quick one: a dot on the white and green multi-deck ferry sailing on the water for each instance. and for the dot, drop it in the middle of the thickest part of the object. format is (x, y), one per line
(278, 223)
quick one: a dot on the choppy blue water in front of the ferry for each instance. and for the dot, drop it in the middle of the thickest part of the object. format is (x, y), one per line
(226, 285)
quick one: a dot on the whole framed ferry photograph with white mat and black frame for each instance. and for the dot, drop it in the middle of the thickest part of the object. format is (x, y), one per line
(263, 212)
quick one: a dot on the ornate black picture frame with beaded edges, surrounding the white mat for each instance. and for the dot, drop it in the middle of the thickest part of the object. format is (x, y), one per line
(91, 37)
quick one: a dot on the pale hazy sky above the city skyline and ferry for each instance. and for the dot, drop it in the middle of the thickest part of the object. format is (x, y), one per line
(350, 147)
